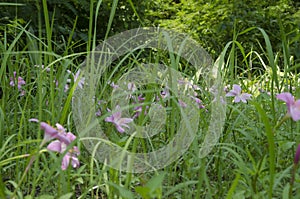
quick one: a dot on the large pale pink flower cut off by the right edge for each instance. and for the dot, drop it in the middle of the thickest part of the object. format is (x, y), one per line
(292, 105)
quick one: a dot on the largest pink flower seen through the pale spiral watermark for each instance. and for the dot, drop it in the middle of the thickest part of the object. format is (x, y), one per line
(118, 121)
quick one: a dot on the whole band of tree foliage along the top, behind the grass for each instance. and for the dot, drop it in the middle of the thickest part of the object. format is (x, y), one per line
(212, 23)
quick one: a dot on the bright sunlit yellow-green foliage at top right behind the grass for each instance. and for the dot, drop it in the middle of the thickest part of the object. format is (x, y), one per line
(213, 23)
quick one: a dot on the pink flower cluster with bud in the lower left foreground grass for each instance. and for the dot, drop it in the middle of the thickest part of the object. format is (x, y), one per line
(60, 142)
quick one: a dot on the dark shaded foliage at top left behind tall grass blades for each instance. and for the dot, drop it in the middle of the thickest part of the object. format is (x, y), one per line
(71, 18)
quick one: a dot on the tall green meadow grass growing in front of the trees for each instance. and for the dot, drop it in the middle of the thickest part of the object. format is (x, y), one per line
(254, 157)
